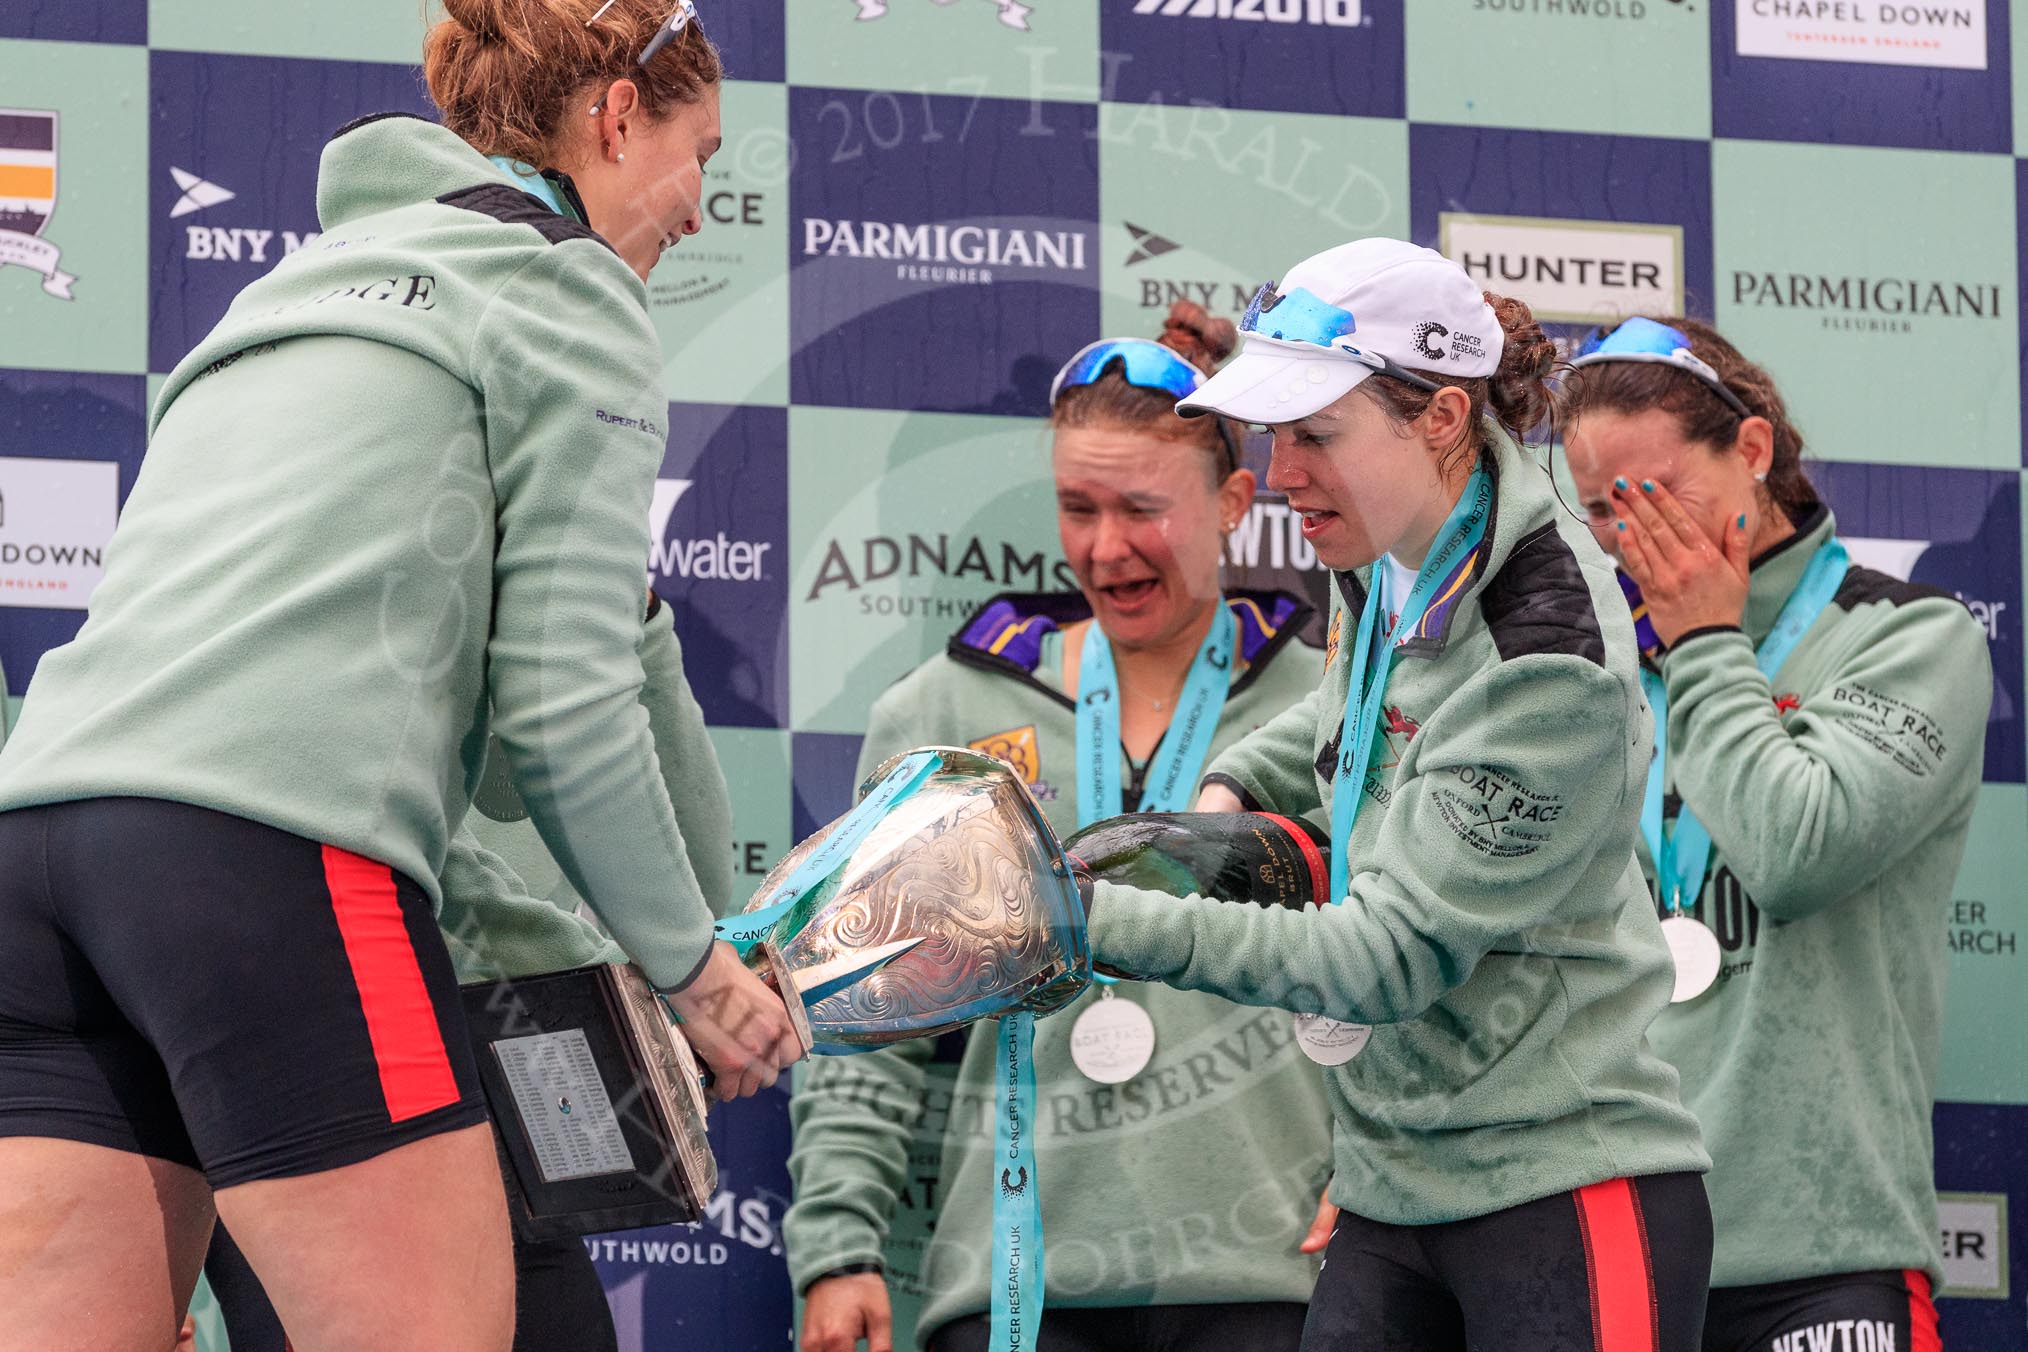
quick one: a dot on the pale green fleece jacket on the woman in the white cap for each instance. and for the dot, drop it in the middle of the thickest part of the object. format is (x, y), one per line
(1498, 933)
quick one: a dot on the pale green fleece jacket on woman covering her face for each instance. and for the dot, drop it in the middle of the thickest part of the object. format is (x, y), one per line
(1838, 798)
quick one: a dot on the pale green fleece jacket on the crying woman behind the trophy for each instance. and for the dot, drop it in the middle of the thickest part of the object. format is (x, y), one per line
(1191, 1183)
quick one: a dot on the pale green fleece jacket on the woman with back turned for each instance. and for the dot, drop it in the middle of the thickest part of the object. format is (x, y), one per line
(405, 481)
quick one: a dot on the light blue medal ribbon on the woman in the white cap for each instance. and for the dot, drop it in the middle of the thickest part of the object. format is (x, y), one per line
(1463, 532)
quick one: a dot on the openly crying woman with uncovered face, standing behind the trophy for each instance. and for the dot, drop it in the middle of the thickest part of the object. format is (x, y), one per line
(1173, 1199)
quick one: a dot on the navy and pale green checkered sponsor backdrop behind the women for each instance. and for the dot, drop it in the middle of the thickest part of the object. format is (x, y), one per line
(924, 206)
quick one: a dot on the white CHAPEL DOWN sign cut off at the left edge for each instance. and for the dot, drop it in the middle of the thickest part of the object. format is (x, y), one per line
(56, 520)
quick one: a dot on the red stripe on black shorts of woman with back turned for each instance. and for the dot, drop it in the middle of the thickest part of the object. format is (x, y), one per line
(401, 1019)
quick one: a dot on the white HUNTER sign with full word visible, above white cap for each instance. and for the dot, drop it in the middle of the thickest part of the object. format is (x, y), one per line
(1575, 273)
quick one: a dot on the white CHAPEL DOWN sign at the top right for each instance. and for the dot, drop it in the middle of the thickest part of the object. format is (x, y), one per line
(1950, 33)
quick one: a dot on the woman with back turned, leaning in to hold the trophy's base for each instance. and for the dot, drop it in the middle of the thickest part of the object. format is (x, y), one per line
(394, 504)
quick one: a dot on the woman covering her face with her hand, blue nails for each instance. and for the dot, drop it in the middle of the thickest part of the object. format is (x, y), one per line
(1820, 763)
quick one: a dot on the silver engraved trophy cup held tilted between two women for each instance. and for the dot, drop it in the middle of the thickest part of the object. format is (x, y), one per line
(970, 871)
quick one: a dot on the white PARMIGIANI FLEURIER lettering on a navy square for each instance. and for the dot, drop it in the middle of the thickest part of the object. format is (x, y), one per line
(952, 254)
